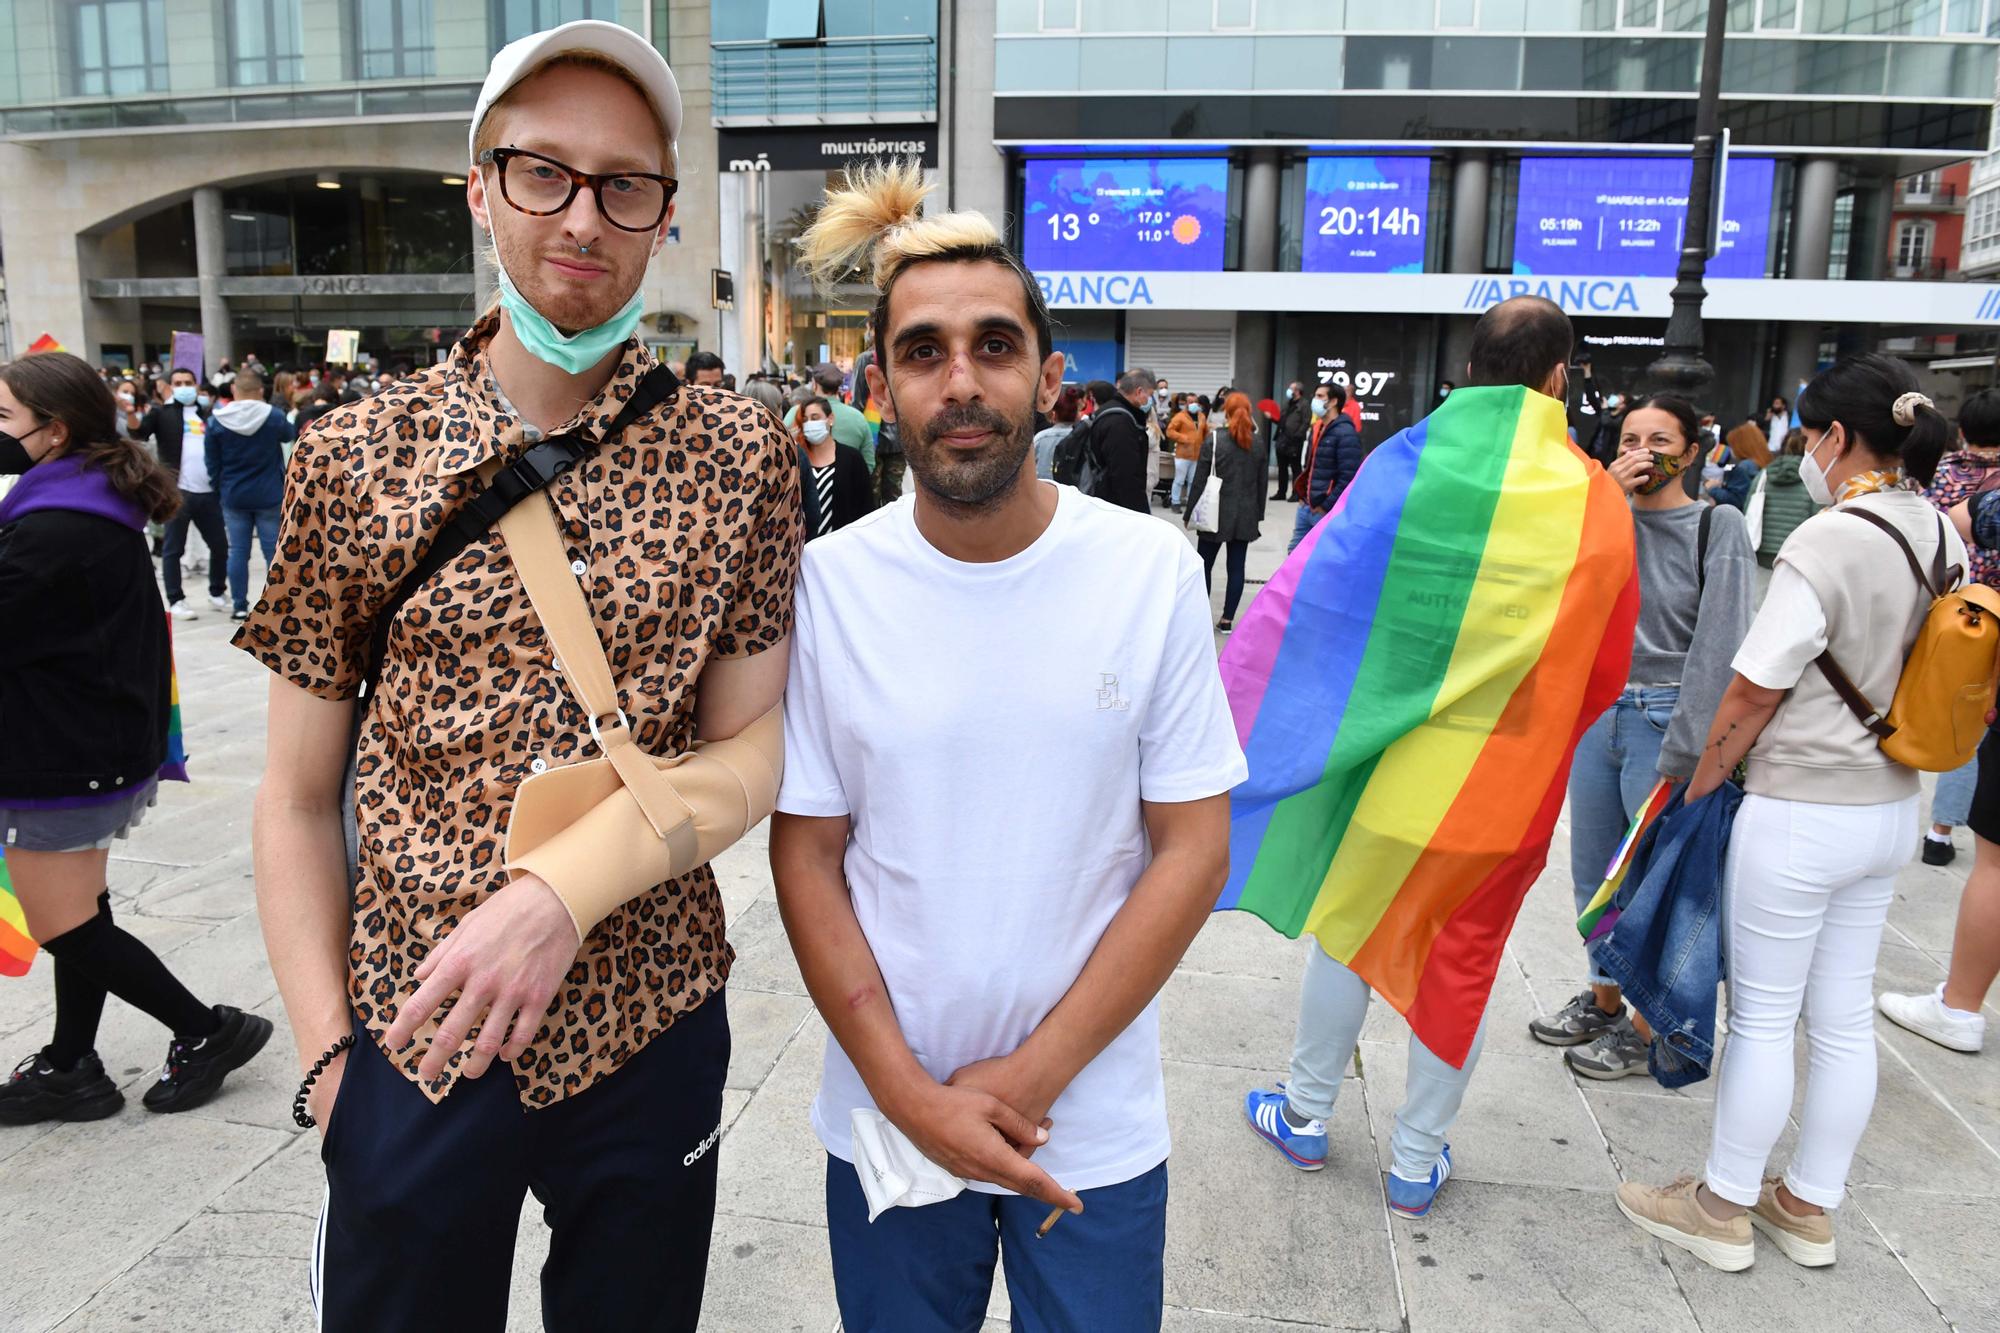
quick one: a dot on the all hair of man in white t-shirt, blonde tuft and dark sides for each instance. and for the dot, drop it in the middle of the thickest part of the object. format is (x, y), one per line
(875, 217)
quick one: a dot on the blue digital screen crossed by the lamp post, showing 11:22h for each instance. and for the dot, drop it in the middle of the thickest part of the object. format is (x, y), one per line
(1625, 217)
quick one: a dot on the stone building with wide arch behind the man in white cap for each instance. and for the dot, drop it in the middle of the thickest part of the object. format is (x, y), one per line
(265, 171)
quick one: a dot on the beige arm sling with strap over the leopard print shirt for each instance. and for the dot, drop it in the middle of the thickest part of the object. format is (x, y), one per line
(609, 830)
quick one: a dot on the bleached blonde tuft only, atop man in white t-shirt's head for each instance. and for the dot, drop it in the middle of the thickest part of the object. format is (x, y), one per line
(877, 213)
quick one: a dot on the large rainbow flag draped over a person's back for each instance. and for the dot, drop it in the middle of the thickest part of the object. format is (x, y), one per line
(1411, 690)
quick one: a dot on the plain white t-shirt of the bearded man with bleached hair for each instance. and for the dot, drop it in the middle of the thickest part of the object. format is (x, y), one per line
(993, 732)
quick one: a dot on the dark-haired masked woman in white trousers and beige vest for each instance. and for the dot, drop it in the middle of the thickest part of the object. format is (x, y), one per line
(1827, 826)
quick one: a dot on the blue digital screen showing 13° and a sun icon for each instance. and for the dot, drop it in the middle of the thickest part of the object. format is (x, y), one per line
(1147, 215)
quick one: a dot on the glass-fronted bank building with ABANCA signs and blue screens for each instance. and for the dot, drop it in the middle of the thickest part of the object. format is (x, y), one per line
(1259, 191)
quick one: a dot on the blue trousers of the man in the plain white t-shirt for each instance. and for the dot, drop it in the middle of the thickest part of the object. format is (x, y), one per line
(931, 1270)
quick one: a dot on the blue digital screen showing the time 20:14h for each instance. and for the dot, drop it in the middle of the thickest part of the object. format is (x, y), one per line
(1367, 215)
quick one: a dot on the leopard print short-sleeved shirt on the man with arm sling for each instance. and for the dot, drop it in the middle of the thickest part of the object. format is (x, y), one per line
(685, 535)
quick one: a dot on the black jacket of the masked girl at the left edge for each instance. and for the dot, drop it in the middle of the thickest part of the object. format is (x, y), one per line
(85, 694)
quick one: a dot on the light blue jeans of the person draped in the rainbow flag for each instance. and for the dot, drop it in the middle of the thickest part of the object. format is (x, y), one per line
(1329, 1026)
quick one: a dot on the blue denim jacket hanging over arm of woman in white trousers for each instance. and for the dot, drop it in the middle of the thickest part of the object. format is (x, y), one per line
(1667, 948)
